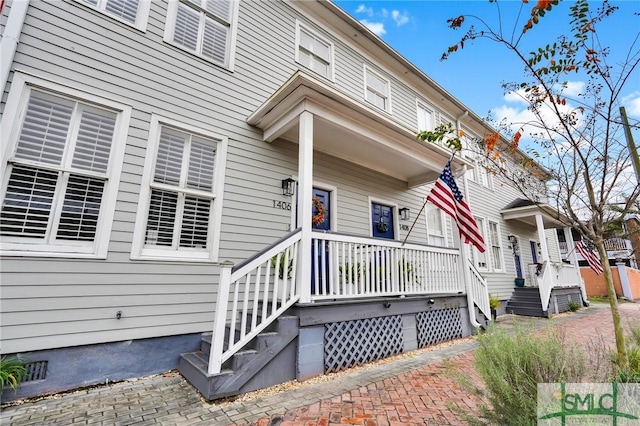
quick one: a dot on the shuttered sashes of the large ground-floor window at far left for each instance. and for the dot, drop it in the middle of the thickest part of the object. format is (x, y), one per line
(58, 173)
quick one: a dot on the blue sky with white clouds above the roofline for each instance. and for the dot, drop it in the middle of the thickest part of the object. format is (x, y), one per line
(418, 30)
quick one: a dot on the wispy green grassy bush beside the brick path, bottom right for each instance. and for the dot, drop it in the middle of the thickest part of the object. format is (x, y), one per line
(511, 366)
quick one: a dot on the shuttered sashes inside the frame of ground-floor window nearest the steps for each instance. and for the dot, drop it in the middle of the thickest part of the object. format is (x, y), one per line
(181, 193)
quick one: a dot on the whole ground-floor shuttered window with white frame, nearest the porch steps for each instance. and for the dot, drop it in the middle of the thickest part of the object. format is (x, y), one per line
(181, 194)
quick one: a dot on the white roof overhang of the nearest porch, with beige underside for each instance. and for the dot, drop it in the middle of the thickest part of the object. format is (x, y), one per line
(347, 129)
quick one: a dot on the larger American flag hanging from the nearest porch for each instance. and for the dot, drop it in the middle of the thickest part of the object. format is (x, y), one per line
(446, 195)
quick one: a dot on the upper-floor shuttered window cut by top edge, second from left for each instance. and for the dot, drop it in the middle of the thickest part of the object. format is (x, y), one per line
(202, 27)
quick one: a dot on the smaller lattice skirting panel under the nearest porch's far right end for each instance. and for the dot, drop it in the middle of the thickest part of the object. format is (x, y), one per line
(438, 326)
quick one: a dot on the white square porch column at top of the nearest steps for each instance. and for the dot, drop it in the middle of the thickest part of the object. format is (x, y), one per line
(305, 189)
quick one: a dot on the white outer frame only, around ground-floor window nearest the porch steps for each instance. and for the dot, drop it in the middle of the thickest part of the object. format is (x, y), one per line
(139, 251)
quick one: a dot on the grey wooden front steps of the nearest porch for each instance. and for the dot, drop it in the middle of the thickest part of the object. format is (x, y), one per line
(269, 359)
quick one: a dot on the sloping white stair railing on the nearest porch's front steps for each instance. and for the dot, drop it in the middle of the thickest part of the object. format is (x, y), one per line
(251, 296)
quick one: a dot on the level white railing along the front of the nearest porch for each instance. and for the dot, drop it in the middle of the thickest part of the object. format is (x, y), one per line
(346, 266)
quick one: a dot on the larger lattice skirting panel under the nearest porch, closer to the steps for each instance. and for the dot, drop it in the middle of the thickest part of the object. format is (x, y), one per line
(351, 343)
